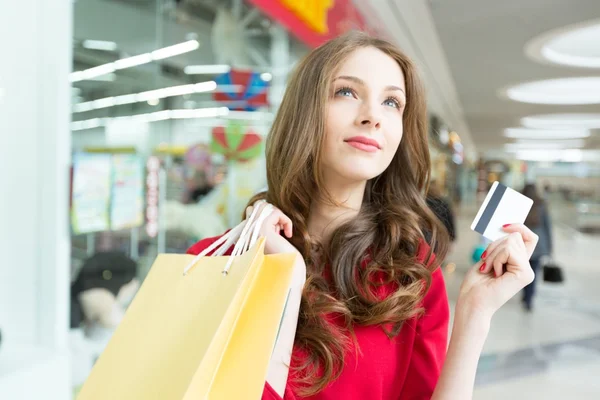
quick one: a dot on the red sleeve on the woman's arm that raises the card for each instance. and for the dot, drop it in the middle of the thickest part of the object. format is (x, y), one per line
(429, 350)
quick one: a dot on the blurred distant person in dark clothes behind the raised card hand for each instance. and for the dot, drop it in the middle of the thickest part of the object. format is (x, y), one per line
(538, 221)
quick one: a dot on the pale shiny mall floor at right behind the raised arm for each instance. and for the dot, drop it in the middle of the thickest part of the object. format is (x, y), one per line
(554, 351)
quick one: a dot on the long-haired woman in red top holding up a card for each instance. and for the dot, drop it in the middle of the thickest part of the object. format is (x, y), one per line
(347, 169)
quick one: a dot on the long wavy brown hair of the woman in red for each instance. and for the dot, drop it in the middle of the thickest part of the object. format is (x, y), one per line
(382, 240)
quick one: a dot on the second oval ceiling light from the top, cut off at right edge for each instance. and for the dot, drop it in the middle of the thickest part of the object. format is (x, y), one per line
(580, 90)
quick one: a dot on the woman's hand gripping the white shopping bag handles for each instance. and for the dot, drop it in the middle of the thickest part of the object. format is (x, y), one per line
(272, 227)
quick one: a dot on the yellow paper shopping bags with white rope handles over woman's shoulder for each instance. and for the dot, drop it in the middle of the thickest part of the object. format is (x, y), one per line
(204, 335)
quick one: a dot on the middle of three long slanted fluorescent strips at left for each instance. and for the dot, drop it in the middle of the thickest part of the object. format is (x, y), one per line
(156, 94)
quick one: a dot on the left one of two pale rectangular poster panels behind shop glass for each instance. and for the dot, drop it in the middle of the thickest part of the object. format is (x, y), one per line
(91, 193)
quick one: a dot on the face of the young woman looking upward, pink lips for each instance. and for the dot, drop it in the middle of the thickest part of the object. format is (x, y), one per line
(364, 116)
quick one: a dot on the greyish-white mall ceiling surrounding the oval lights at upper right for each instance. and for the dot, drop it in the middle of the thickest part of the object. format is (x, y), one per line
(484, 42)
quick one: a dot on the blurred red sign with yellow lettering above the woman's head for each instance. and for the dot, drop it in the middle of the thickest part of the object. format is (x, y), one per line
(314, 21)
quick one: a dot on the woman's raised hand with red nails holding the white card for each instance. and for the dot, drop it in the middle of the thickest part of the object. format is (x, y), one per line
(503, 271)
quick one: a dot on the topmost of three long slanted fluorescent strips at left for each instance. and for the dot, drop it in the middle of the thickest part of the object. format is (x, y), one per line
(140, 59)
